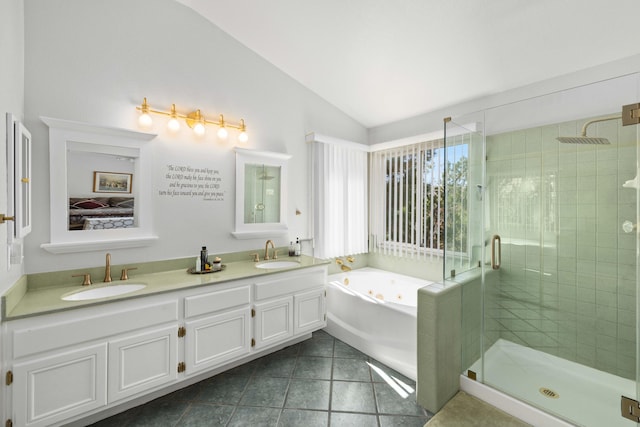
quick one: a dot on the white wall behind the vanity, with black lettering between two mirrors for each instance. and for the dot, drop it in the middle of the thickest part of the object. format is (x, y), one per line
(94, 61)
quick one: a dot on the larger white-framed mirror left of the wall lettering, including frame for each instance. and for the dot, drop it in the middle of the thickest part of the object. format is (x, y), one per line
(99, 190)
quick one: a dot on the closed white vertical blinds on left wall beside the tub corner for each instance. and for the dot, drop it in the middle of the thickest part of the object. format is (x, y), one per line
(339, 170)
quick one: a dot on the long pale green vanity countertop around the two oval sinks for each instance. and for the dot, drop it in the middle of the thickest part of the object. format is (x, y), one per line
(19, 303)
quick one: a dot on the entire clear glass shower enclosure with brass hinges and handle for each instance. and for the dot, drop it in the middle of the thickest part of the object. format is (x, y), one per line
(549, 268)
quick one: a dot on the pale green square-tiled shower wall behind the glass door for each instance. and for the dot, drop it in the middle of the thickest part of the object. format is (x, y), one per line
(567, 283)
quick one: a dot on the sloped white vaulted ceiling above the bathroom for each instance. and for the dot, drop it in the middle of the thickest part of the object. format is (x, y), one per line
(381, 61)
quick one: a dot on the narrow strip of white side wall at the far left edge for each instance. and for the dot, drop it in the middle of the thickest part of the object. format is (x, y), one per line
(11, 101)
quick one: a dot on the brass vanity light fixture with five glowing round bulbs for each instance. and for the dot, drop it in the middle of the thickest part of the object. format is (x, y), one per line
(195, 120)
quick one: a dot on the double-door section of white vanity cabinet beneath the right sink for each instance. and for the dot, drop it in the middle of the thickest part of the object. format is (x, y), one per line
(289, 305)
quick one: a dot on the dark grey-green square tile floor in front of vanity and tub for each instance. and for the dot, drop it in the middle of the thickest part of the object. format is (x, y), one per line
(319, 382)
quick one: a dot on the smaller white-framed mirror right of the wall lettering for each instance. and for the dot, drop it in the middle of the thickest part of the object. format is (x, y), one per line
(260, 193)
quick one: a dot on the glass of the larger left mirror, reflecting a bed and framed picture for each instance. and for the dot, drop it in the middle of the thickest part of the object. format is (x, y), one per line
(100, 191)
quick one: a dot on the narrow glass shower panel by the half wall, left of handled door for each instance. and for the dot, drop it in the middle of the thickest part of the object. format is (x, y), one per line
(464, 228)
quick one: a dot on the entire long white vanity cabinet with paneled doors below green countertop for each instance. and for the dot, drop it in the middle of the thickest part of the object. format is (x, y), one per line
(75, 363)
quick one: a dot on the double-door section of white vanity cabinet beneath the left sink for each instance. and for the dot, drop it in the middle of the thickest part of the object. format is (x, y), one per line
(75, 362)
